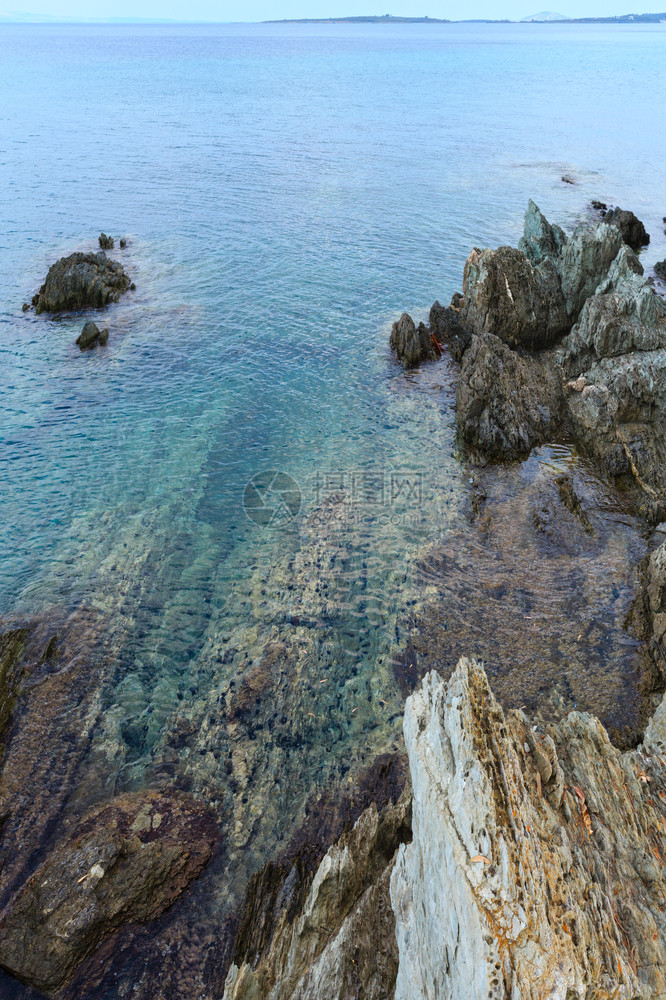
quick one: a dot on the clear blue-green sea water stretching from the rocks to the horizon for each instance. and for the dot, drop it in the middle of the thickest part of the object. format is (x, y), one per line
(286, 193)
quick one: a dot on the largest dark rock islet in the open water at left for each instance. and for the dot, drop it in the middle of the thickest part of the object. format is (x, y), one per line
(81, 281)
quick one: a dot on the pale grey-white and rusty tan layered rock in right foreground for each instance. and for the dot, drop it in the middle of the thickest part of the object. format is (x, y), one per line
(536, 866)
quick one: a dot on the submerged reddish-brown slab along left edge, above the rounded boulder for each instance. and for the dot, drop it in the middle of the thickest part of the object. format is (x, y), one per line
(51, 670)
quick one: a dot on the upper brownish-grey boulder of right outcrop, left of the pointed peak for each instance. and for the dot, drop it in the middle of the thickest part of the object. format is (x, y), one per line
(507, 296)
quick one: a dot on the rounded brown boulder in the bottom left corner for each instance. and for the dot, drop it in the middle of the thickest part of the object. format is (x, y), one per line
(127, 860)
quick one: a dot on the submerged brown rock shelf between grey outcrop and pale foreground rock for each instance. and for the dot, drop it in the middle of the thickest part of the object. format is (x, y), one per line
(544, 583)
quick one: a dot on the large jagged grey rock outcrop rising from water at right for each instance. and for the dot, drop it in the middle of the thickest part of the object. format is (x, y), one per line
(611, 364)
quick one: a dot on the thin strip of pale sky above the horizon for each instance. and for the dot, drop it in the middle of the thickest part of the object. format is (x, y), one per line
(259, 10)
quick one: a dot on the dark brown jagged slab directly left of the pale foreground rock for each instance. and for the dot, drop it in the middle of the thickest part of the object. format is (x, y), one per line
(318, 921)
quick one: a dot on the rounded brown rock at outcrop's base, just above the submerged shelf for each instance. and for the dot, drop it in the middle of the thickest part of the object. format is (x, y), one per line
(505, 403)
